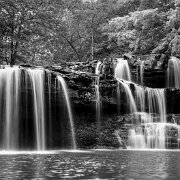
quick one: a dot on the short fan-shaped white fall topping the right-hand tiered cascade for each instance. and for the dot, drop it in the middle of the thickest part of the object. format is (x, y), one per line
(122, 70)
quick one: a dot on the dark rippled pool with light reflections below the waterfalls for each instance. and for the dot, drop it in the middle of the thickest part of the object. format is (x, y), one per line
(127, 165)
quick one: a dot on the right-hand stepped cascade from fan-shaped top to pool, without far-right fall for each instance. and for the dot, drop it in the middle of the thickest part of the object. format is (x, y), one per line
(149, 133)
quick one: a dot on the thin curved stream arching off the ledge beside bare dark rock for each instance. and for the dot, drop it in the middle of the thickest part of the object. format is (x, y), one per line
(62, 83)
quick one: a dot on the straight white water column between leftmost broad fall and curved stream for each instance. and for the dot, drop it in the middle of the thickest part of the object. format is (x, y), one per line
(37, 81)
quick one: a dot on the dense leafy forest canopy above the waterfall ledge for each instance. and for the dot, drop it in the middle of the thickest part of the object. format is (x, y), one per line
(48, 32)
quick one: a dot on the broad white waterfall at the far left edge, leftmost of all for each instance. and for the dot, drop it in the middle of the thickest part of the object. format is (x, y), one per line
(9, 99)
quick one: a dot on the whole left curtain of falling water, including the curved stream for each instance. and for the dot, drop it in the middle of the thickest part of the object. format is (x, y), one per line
(25, 111)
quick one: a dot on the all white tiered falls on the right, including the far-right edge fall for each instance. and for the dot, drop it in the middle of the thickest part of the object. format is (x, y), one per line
(148, 132)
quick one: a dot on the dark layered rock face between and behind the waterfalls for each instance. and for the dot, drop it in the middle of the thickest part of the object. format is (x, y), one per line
(83, 96)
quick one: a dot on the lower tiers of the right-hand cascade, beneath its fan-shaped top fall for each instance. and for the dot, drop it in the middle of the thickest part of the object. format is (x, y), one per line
(149, 133)
